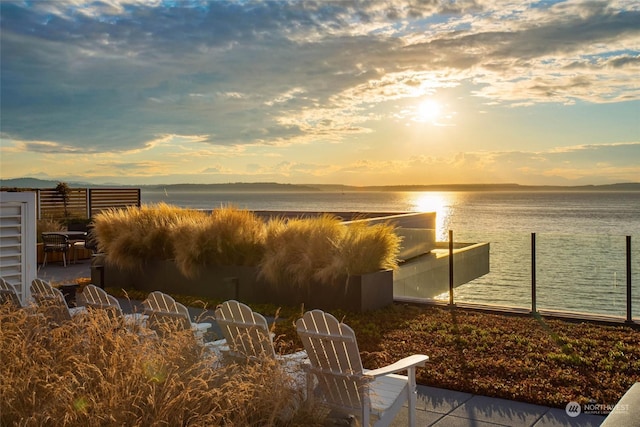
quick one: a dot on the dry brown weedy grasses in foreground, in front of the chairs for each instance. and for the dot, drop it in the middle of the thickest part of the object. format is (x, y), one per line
(92, 371)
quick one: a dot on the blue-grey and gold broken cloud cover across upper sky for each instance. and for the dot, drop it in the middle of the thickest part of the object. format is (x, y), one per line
(188, 80)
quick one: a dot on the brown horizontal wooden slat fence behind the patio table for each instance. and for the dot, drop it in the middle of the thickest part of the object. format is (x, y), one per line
(84, 202)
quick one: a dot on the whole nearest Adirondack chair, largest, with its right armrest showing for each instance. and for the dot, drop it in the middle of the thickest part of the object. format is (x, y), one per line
(342, 382)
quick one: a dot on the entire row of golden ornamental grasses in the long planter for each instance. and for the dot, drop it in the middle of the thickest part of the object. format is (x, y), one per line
(288, 252)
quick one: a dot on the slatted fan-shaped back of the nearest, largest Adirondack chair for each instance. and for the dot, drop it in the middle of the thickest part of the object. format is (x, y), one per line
(335, 359)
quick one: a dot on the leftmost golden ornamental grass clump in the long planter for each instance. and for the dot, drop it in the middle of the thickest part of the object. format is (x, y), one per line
(130, 237)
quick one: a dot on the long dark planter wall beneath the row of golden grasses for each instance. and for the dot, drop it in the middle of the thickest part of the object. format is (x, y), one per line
(358, 293)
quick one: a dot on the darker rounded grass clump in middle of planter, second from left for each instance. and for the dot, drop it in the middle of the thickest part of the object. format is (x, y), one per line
(229, 236)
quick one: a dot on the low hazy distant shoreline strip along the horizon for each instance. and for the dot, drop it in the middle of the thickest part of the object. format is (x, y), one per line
(33, 183)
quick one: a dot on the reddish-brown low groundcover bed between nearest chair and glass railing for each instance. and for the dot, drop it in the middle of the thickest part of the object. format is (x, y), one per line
(520, 357)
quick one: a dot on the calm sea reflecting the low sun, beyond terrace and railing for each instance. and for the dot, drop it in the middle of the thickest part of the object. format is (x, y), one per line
(580, 237)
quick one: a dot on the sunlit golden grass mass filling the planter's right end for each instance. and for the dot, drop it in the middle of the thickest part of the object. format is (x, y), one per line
(324, 249)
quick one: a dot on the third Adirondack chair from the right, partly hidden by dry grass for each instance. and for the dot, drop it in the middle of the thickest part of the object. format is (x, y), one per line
(164, 311)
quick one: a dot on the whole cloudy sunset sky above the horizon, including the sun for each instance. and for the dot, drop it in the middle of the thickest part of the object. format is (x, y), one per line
(324, 92)
